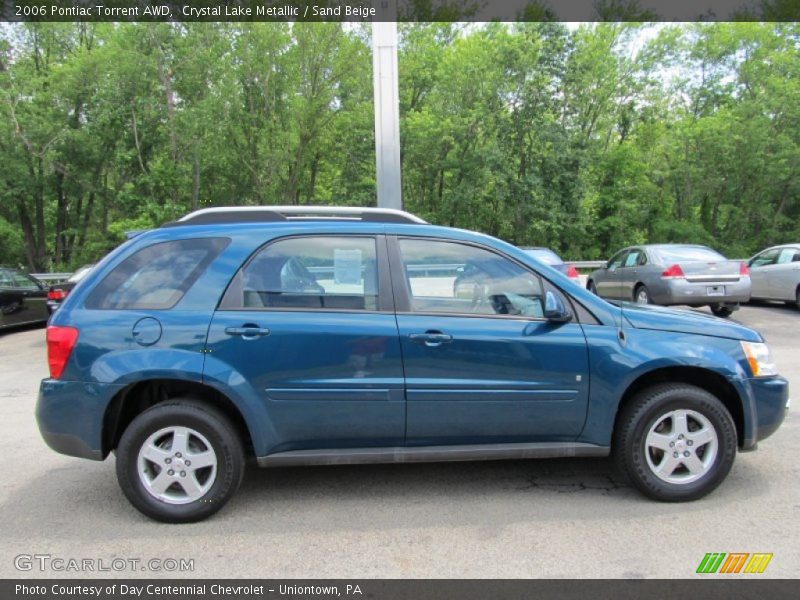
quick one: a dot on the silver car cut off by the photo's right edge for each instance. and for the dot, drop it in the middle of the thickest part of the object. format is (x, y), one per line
(775, 273)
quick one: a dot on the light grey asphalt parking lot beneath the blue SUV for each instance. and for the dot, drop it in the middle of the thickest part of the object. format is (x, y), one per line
(520, 519)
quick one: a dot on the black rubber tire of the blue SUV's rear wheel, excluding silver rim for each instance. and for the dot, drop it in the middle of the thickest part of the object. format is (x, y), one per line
(208, 425)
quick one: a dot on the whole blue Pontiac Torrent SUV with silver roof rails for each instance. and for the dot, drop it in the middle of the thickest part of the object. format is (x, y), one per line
(310, 335)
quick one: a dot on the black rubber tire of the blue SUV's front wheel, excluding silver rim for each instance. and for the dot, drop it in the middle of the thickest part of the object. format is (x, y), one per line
(651, 407)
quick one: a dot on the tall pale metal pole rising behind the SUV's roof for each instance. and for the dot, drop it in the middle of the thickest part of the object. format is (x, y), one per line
(387, 104)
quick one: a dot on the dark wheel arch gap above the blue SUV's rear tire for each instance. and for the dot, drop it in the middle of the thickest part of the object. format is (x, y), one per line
(137, 397)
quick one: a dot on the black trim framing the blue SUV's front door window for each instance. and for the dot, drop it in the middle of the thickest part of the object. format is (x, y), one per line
(402, 295)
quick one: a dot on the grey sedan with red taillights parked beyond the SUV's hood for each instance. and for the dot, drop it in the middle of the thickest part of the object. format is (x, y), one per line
(671, 274)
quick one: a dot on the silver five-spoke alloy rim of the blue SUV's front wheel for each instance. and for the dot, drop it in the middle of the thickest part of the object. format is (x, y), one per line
(681, 446)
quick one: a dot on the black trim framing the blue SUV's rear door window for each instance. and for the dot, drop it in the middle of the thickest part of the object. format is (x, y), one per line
(385, 296)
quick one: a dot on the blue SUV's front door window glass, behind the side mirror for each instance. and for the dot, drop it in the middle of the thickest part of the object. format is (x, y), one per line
(449, 277)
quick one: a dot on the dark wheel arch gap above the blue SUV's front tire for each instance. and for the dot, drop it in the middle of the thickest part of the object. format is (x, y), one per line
(706, 379)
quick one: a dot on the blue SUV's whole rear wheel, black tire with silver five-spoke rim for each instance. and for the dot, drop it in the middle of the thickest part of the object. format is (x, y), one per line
(180, 461)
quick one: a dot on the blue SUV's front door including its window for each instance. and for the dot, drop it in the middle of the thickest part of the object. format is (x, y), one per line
(483, 367)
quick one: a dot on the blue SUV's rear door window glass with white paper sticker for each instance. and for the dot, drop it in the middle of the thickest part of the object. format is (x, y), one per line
(324, 272)
